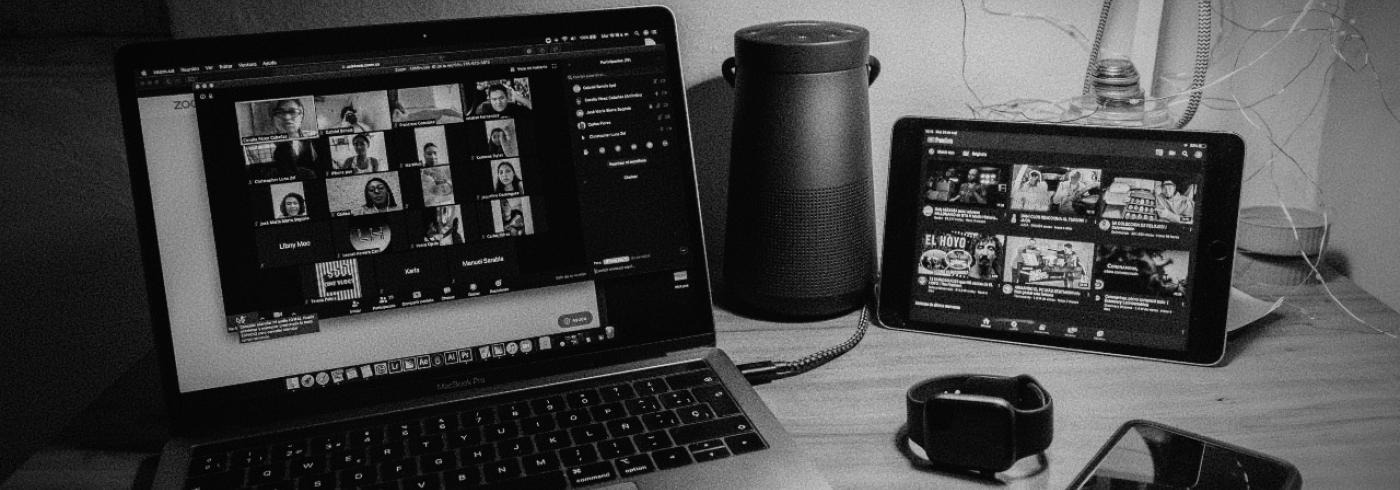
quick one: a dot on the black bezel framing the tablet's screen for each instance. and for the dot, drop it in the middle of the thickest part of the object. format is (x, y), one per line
(1216, 241)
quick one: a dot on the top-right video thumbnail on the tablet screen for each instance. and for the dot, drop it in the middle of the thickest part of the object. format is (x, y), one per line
(1150, 199)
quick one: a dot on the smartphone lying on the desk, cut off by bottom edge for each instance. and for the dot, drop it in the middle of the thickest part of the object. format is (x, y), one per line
(1150, 456)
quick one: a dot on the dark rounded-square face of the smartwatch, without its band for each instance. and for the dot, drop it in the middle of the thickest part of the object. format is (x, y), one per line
(971, 432)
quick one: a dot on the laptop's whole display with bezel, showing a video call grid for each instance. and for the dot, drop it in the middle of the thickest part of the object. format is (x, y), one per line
(419, 201)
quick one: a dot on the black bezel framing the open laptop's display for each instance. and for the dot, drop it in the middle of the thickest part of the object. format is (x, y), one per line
(230, 407)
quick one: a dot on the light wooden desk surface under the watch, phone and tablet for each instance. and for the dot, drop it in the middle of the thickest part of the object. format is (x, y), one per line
(1305, 384)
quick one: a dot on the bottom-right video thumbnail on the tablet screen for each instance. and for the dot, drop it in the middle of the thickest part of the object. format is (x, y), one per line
(1143, 271)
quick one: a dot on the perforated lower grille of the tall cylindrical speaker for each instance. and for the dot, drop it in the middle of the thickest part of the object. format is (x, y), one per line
(806, 243)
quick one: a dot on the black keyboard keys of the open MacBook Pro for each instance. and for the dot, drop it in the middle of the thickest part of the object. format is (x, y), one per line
(576, 435)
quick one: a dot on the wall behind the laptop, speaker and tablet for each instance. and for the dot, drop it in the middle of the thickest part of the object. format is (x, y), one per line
(72, 311)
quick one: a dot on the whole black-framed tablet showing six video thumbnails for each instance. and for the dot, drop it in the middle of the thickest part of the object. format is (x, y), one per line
(1104, 240)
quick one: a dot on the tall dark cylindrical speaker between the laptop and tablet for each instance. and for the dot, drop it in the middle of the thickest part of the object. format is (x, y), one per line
(801, 220)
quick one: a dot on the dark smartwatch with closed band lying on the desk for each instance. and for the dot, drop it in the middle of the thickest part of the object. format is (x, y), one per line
(978, 422)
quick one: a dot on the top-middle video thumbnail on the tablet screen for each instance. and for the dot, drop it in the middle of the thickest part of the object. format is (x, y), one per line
(1056, 190)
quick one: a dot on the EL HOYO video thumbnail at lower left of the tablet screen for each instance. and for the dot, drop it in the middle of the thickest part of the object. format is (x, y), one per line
(962, 254)
